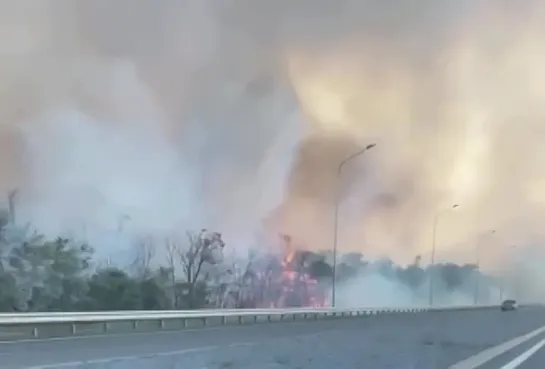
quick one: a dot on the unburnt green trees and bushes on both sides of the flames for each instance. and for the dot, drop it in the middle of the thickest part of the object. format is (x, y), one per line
(37, 274)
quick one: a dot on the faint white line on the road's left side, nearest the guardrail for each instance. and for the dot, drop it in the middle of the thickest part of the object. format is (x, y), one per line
(134, 357)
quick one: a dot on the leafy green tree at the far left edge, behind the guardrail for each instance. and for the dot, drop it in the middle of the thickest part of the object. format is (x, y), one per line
(43, 274)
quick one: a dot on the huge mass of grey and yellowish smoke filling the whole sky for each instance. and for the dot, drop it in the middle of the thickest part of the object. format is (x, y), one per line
(234, 115)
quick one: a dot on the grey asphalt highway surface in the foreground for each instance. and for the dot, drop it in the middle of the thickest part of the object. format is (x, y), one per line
(400, 341)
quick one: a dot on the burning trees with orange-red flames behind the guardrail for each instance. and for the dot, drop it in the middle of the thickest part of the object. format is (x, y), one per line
(278, 281)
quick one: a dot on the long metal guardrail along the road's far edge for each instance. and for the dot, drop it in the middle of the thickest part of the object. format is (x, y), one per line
(16, 326)
